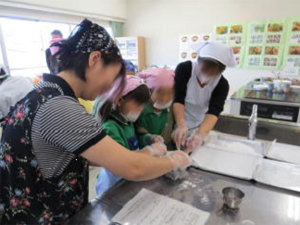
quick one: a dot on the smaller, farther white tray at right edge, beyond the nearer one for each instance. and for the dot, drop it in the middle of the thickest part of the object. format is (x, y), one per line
(285, 152)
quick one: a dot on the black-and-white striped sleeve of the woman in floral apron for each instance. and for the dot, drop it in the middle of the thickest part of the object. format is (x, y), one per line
(64, 123)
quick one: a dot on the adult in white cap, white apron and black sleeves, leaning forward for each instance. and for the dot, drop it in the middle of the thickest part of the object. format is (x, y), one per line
(200, 94)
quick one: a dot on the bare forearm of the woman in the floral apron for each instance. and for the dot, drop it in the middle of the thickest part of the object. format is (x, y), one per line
(124, 163)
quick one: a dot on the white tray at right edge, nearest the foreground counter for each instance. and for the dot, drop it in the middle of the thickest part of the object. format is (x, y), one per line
(279, 174)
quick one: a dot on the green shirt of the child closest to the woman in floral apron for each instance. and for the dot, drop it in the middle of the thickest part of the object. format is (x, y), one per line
(121, 131)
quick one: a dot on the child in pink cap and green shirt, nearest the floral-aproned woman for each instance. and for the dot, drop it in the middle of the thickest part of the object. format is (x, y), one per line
(119, 125)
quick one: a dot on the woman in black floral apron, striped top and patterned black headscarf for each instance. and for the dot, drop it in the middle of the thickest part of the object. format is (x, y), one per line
(49, 140)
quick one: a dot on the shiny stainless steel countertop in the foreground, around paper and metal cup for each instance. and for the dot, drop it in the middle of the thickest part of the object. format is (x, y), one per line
(262, 205)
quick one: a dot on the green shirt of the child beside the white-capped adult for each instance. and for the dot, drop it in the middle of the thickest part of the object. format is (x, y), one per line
(152, 123)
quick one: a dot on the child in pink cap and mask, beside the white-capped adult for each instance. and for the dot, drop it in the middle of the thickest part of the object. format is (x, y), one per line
(153, 119)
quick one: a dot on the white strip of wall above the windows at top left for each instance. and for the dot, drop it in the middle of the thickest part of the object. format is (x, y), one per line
(100, 9)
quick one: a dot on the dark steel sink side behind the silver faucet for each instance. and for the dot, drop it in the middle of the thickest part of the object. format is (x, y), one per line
(284, 132)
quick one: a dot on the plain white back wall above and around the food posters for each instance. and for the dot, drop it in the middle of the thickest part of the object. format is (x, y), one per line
(162, 21)
